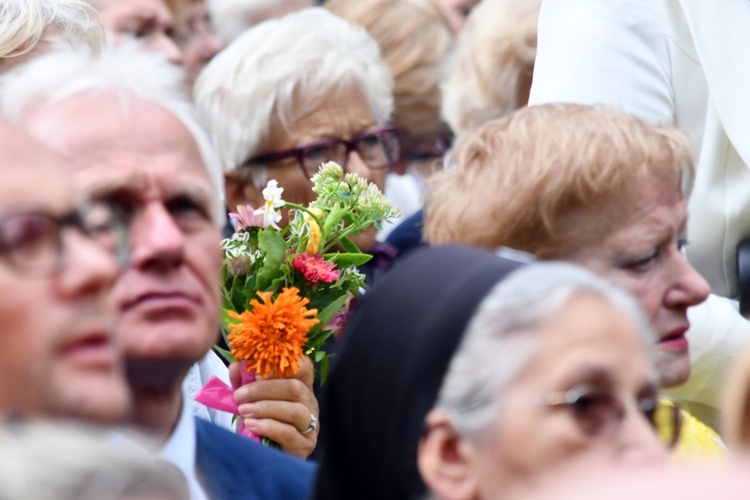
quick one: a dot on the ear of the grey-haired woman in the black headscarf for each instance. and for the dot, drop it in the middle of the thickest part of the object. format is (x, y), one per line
(446, 460)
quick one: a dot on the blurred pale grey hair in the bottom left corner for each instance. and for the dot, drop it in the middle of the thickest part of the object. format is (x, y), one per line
(66, 461)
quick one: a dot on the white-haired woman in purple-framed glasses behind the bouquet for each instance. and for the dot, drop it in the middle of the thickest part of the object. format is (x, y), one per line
(292, 93)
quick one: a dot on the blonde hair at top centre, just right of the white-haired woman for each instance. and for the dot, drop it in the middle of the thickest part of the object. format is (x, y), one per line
(414, 38)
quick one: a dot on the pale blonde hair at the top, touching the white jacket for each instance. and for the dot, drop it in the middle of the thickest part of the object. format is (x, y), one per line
(489, 72)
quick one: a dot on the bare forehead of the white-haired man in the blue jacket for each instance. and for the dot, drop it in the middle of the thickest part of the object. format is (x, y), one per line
(112, 143)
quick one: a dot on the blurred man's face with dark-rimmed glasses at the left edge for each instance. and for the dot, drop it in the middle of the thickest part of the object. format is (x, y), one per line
(58, 262)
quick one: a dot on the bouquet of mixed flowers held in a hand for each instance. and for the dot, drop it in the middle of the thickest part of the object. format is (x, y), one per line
(285, 291)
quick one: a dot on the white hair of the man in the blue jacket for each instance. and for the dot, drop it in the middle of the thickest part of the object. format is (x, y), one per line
(128, 71)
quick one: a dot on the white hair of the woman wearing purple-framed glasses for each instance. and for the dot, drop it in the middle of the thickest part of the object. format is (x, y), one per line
(282, 69)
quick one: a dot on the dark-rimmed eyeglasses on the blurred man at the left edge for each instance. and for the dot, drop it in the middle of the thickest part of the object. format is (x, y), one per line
(32, 242)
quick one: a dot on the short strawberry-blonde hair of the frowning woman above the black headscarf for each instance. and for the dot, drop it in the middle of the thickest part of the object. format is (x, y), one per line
(529, 180)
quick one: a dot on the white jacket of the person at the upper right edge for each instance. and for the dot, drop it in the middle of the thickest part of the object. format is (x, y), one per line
(684, 63)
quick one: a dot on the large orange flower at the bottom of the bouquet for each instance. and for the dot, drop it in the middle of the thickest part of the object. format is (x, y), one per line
(271, 336)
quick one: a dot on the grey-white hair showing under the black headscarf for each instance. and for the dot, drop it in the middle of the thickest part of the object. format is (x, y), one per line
(499, 341)
